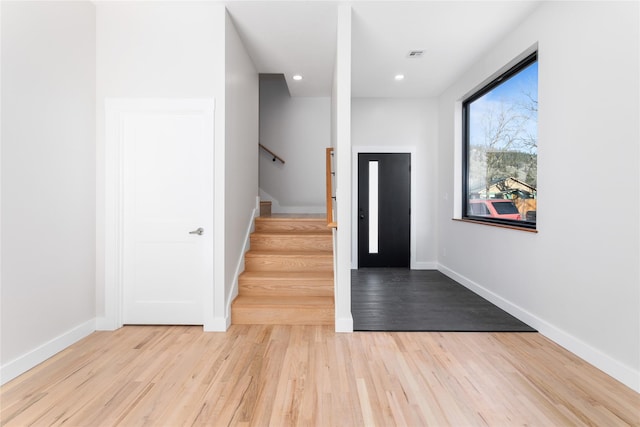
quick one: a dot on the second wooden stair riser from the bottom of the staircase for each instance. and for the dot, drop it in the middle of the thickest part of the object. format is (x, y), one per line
(285, 288)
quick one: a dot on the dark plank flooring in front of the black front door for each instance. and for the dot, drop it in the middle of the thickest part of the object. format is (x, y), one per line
(399, 299)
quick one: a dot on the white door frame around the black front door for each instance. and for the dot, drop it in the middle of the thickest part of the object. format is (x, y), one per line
(355, 151)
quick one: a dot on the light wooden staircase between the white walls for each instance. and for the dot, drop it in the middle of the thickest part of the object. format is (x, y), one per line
(288, 277)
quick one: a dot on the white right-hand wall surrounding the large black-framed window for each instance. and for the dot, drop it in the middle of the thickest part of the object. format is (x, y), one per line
(577, 279)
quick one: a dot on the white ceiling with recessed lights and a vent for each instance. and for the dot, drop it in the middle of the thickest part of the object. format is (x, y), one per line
(299, 37)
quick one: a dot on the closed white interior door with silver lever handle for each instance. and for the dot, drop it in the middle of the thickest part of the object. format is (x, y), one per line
(167, 166)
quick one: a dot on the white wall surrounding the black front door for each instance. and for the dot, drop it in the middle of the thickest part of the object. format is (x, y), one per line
(386, 125)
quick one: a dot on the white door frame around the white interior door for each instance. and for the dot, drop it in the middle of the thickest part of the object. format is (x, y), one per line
(115, 110)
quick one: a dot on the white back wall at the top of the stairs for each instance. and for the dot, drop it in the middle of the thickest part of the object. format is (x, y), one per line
(298, 129)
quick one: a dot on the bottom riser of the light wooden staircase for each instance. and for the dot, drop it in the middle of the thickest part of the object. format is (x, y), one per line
(282, 316)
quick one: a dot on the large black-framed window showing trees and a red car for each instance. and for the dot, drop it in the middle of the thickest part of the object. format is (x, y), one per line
(500, 156)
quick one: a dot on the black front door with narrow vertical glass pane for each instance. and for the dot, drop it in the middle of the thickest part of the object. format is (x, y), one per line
(384, 209)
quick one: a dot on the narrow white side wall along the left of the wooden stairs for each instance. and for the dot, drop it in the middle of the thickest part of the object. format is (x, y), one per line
(241, 153)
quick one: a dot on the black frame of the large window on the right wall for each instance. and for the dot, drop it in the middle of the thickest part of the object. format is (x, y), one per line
(503, 77)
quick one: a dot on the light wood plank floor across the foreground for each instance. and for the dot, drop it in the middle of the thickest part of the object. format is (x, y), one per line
(309, 375)
